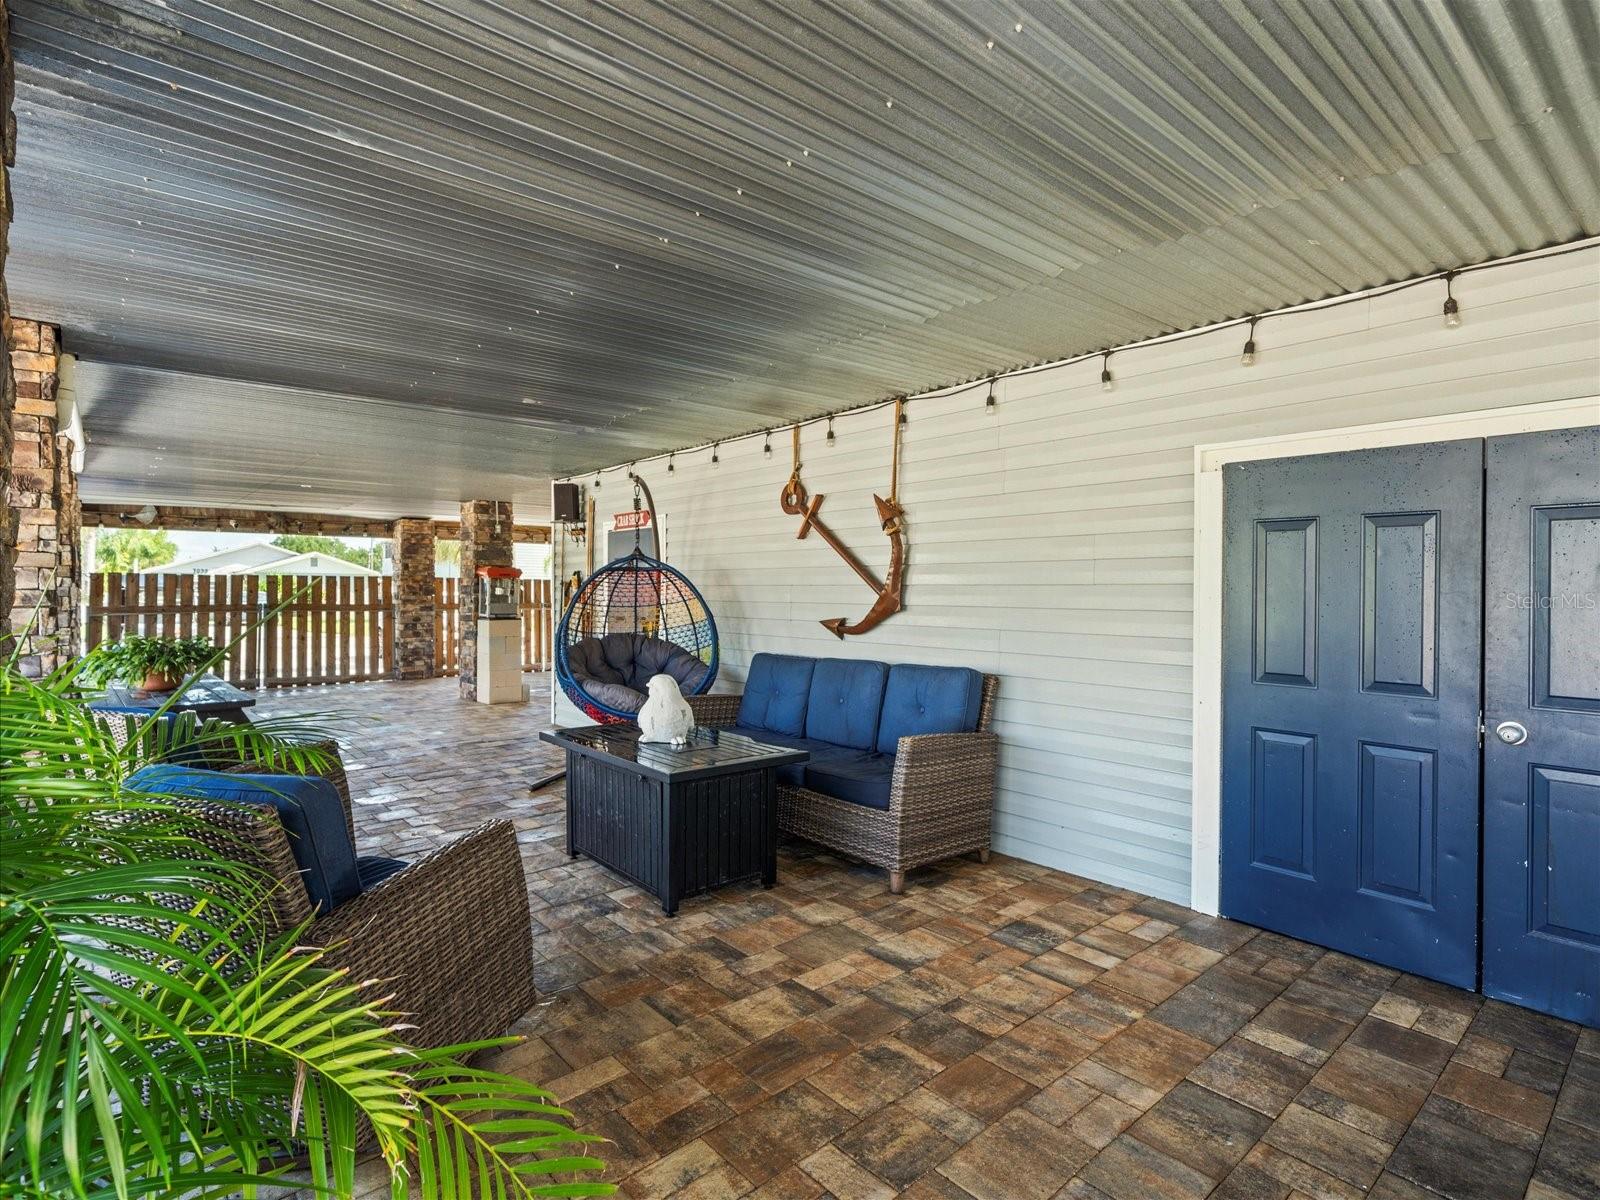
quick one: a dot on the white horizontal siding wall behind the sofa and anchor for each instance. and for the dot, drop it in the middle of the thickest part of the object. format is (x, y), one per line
(1052, 542)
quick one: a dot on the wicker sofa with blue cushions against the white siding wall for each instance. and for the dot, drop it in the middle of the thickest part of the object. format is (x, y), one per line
(935, 788)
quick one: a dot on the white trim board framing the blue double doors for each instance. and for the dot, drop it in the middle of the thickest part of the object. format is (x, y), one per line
(1207, 812)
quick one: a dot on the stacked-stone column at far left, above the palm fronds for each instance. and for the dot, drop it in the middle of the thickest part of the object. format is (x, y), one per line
(42, 497)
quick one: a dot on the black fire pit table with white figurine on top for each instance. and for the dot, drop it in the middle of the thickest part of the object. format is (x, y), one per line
(673, 820)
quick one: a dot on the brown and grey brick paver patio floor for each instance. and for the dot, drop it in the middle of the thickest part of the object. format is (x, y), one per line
(1001, 1033)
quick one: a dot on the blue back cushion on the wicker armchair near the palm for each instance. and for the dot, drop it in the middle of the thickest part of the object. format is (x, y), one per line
(308, 806)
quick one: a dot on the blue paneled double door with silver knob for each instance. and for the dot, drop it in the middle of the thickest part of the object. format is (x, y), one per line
(1412, 710)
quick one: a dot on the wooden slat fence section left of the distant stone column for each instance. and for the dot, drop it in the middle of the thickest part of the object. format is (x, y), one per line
(337, 630)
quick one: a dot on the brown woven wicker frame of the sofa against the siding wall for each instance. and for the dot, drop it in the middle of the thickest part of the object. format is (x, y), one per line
(942, 798)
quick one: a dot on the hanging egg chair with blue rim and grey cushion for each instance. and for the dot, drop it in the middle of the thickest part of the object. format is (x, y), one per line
(631, 620)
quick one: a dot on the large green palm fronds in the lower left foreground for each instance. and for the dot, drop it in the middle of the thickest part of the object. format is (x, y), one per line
(156, 1046)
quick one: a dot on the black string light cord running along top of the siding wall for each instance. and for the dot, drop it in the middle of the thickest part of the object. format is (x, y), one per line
(946, 391)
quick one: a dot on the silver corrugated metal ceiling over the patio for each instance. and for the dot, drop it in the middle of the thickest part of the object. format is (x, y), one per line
(372, 246)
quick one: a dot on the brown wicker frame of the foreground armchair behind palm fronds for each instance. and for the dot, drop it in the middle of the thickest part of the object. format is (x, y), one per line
(449, 935)
